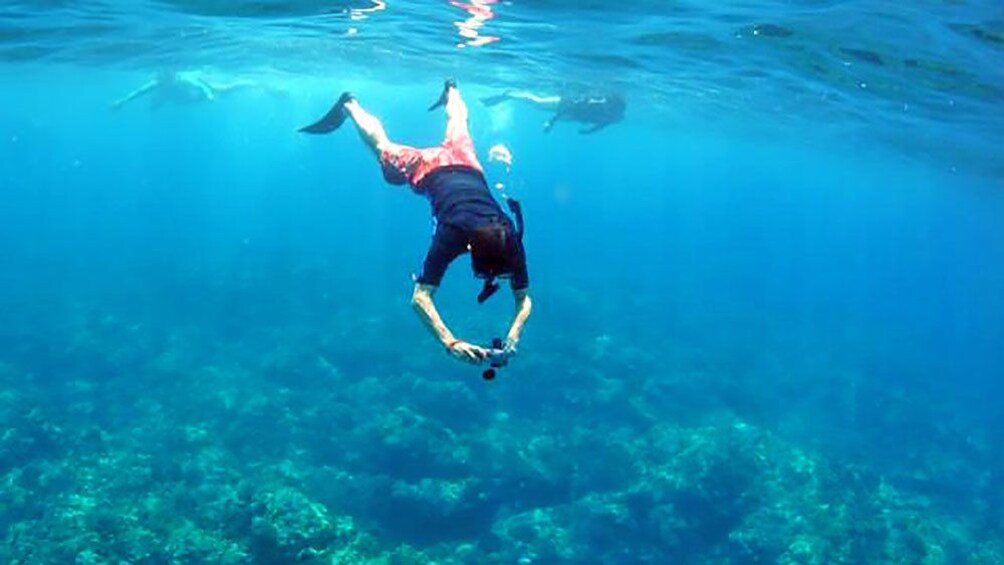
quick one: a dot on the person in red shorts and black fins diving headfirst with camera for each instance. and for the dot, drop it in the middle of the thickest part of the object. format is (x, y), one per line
(467, 217)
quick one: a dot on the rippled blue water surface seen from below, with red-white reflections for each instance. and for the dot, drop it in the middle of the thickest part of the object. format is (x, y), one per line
(878, 65)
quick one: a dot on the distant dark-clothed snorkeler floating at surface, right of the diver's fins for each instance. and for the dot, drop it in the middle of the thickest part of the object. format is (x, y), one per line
(597, 111)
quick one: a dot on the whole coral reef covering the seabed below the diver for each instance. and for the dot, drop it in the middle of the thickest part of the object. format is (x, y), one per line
(181, 447)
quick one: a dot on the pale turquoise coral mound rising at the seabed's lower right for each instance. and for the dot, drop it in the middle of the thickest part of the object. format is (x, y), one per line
(735, 492)
